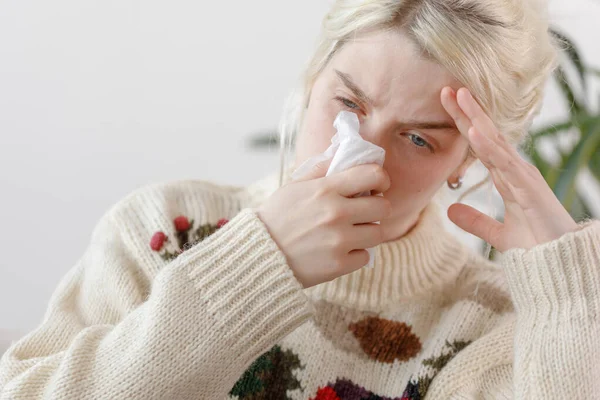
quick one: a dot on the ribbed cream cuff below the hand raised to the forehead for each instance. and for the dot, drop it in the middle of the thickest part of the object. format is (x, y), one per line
(562, 275)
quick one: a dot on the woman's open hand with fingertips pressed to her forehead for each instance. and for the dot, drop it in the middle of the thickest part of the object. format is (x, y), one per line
(533, 213)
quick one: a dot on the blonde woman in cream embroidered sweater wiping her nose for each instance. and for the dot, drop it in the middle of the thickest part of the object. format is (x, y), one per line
(190, 290)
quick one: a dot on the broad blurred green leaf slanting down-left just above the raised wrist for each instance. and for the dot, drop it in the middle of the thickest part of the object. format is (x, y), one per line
(581, 156)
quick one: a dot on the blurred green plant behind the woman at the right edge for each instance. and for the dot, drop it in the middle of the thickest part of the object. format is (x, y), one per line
(582, 122)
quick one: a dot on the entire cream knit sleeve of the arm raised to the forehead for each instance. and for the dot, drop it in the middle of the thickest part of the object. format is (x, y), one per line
(550, 347)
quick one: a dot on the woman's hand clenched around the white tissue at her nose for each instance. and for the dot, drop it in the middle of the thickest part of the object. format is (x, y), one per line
(321, 228)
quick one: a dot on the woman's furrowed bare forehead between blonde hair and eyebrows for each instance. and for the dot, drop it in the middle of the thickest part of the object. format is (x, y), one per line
(388, 66)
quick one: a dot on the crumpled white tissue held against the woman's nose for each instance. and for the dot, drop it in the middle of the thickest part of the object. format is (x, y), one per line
(347, 150)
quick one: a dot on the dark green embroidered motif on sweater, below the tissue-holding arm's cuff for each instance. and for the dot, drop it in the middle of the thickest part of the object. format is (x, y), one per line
(269, 377)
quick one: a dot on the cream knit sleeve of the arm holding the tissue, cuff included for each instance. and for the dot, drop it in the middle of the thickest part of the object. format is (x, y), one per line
(109, 333)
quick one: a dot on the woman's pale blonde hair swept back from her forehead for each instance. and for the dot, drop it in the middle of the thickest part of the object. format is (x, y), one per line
(501, 50)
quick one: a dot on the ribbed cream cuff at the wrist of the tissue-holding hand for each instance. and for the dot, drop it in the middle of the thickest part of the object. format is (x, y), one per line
(246, 282)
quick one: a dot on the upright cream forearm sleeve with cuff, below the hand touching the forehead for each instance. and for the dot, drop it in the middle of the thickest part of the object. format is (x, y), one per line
(555, 288)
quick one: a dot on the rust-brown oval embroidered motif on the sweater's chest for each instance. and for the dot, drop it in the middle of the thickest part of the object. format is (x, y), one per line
(385, 340)
